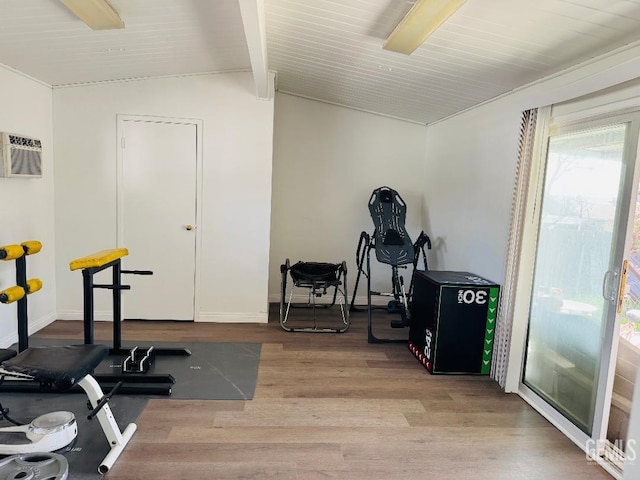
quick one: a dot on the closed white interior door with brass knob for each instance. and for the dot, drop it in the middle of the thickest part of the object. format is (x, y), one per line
(157, 217)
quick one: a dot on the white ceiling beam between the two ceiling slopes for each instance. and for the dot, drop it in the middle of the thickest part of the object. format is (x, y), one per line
(252, 12)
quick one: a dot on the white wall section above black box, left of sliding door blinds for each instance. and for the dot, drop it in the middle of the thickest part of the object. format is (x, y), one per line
(469, 180)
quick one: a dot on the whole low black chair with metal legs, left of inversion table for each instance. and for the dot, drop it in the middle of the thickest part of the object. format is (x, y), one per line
(318, 279)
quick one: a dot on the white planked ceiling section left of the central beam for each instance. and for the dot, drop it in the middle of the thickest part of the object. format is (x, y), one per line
(161, 37)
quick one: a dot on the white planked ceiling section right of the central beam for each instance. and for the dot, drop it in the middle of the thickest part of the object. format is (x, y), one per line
(486, 48)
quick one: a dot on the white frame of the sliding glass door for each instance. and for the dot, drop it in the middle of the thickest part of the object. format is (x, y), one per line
(630, 177)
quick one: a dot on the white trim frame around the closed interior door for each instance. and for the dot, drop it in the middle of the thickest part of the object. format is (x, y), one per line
(199, 124)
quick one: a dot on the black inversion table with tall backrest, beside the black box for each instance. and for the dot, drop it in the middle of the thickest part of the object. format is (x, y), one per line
(393, 246)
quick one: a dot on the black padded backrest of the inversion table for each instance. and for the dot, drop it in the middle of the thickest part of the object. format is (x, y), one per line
(388, 212)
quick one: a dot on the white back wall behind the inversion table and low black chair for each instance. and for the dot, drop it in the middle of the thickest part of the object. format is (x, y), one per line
(327, 161)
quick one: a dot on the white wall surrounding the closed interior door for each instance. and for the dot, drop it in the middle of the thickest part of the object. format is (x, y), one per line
(237, 159)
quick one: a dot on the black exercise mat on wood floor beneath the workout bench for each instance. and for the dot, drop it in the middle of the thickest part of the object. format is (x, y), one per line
(214, 371)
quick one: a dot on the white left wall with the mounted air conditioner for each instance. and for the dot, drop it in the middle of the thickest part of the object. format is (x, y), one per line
(26, 205)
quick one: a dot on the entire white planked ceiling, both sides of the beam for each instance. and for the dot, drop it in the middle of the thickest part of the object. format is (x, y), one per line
(330, 50)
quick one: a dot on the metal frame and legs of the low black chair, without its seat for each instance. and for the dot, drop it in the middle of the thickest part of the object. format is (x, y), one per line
(316, 288)
